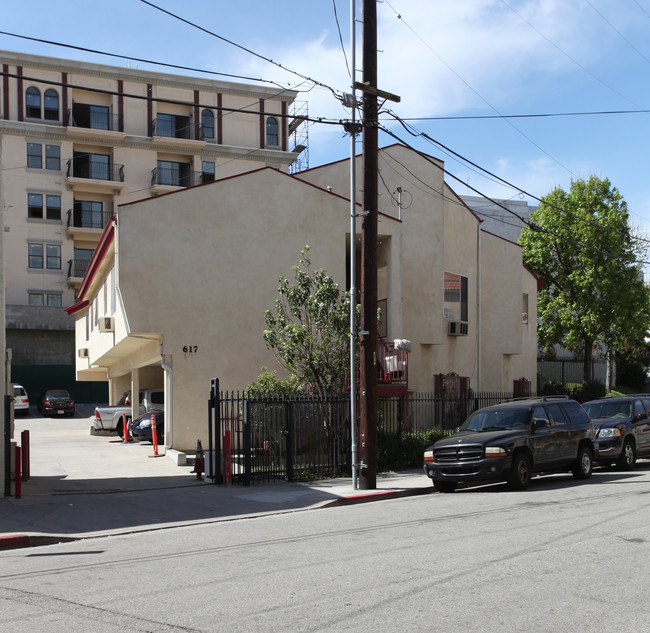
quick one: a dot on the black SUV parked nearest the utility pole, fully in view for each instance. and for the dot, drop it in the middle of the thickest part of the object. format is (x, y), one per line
(513, 440)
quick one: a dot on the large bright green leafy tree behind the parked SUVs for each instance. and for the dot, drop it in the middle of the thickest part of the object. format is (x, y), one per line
(580, 244)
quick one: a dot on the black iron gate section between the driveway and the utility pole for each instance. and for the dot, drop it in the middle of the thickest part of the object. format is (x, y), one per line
(252, 440)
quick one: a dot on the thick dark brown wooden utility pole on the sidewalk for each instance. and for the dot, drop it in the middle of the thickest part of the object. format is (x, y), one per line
(368, 338)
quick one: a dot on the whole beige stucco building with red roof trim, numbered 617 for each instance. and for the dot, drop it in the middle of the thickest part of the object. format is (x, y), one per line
(187, 303)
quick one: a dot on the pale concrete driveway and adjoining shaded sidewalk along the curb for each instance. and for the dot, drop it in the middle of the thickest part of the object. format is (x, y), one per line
(84, 486)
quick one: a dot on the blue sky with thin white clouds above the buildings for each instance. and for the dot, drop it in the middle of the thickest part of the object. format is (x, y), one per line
(445, 58)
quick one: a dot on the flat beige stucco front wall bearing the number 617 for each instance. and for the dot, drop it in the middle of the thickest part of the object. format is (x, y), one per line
(210, 268)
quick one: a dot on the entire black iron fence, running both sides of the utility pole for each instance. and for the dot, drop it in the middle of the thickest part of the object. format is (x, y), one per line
(252, 440)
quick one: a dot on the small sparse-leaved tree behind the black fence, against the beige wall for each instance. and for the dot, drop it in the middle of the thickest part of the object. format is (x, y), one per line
(309, 329)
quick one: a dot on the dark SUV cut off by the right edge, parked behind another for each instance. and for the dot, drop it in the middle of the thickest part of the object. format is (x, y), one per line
(622, 427)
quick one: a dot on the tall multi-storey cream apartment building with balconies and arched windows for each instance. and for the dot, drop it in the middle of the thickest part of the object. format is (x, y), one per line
(76, 140)
